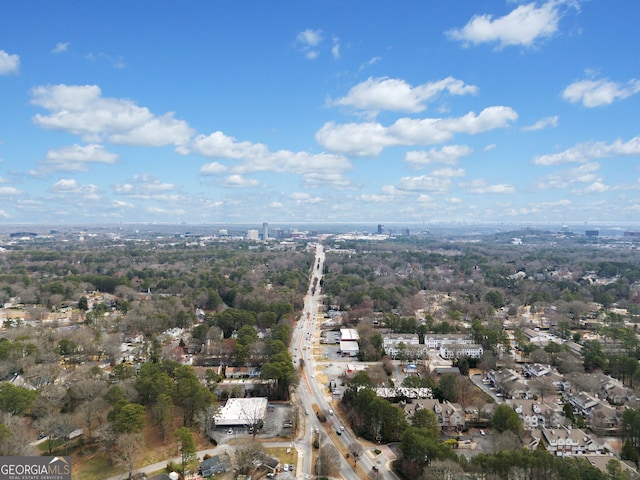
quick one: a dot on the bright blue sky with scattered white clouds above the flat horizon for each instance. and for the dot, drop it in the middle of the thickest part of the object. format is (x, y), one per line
(309, 111)
